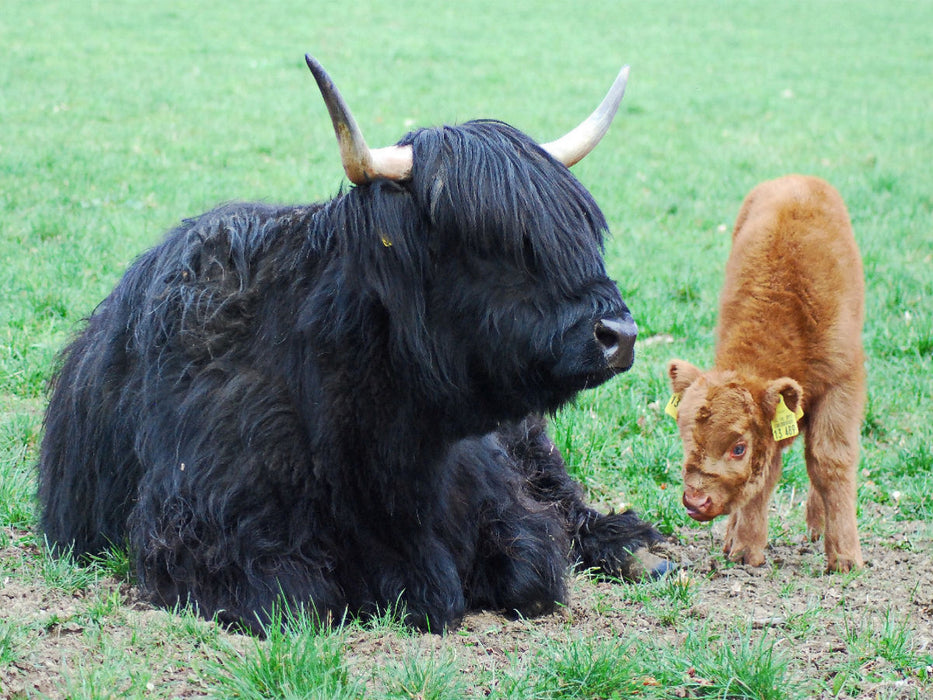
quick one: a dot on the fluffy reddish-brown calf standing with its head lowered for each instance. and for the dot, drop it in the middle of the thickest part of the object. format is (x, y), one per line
(790, 325)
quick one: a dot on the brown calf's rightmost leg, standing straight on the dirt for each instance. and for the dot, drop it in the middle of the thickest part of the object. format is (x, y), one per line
(832, 453)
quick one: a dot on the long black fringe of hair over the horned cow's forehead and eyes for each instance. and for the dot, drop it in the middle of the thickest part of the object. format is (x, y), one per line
(507, 192)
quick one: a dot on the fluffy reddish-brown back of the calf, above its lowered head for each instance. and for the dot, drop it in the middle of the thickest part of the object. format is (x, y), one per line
(793, 296)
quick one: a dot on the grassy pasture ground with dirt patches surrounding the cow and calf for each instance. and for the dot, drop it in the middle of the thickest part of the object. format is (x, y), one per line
(117, 119)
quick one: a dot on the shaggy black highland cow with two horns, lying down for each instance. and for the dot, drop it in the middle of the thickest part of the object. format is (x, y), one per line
(334, 405)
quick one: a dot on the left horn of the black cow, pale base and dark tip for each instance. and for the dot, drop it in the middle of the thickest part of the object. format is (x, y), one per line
(361, 163)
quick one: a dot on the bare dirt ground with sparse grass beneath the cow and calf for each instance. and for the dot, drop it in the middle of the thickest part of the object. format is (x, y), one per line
(824, 625)
